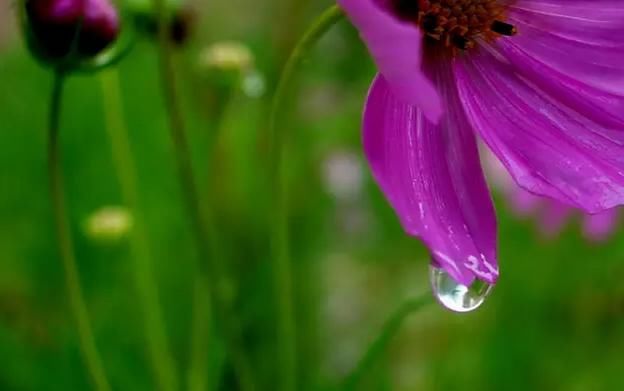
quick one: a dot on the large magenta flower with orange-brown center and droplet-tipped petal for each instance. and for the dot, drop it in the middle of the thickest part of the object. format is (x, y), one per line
(540, 81)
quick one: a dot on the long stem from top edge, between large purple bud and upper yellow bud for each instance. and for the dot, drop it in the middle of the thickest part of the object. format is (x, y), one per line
(210, 276)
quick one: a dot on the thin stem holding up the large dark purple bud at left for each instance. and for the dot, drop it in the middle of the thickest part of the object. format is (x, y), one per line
(77, 303)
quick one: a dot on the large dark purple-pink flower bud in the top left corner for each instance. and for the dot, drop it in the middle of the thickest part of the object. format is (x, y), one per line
(81, 28)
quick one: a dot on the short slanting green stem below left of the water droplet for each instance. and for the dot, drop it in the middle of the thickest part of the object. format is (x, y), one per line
(379, 344)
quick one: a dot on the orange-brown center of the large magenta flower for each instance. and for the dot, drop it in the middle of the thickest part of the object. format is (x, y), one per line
(452, 25)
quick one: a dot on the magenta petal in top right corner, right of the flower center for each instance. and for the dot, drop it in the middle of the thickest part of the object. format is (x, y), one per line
(572, 49)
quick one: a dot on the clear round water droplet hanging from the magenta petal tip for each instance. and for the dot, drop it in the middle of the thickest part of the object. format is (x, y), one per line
(454, 296)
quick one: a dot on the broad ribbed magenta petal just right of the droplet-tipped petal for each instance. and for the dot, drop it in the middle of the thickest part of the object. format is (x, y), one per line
(549, 148)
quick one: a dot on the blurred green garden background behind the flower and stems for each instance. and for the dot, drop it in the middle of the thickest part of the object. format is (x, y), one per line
(554, 322)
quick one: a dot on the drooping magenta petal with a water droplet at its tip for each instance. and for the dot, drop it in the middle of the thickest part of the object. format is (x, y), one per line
(432, 177)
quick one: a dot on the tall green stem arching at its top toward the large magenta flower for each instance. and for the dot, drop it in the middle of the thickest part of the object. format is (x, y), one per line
(286, 328)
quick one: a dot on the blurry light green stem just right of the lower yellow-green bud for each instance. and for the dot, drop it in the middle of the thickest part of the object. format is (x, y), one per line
(160, 356)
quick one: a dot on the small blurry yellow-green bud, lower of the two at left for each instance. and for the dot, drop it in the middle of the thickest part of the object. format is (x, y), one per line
(109, 224)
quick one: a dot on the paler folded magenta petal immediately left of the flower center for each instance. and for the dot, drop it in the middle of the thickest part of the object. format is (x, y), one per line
(396, 48)
